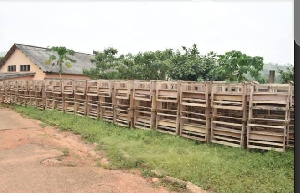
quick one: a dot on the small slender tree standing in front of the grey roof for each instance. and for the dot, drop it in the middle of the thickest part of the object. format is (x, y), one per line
(63, 58)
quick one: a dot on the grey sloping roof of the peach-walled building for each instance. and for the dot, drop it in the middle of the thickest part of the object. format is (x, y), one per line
(40, 55)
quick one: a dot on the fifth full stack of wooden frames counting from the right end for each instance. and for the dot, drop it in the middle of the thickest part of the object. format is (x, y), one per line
(144, 104)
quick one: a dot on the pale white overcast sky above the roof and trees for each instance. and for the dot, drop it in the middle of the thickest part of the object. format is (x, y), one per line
(257, 28)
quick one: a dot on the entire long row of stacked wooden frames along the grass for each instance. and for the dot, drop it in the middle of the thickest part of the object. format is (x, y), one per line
(245, 115)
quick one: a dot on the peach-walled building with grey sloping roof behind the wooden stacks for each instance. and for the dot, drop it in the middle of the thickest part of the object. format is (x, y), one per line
(28, 62)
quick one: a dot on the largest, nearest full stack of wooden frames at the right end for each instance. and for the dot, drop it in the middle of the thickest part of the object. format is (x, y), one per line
(269, 116)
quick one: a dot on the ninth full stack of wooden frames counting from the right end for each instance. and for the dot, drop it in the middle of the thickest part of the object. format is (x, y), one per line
(80, 97)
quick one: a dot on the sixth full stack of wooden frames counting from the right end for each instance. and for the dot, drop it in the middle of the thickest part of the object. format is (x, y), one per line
(123, 103)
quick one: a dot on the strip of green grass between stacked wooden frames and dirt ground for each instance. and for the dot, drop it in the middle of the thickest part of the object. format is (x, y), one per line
(214, 167)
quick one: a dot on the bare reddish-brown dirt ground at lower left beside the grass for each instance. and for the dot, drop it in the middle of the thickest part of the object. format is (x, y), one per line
(37, 158)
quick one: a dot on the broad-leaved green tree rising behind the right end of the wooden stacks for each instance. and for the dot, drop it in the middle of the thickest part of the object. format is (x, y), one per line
(234, 65)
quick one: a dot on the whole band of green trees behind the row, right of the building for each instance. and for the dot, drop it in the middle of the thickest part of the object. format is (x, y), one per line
(187, 64)
